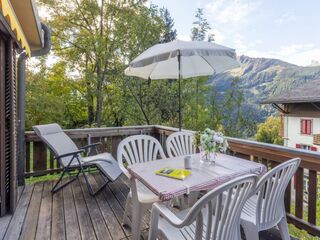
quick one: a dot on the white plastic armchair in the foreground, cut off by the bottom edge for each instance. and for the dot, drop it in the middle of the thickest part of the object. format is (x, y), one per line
(215, 216)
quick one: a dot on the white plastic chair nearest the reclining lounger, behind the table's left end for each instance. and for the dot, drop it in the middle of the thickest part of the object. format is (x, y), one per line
(132, 150)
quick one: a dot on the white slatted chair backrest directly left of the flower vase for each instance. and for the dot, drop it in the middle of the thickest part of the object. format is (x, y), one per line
(180, 144)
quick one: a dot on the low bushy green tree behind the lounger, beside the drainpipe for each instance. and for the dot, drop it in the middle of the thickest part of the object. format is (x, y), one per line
(53, 97)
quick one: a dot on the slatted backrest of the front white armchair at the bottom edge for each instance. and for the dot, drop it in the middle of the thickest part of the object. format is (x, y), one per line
(217, 214)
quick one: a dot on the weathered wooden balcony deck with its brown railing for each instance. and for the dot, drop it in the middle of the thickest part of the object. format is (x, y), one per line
(73, 214)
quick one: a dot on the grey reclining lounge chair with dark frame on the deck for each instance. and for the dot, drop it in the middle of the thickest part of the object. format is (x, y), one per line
(69, 157)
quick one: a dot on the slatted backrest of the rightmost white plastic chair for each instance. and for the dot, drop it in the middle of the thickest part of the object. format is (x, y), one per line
(270, 193)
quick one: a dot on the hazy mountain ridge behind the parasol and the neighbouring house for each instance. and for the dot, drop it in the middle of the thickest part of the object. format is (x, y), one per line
(260, 78)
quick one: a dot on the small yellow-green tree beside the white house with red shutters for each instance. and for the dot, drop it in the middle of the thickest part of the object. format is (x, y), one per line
(269, 131)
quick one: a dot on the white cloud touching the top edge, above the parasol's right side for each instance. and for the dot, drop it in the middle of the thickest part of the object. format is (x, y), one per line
(230, 11)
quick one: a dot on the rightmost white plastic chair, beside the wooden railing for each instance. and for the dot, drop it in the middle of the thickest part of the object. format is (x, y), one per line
(265, 209)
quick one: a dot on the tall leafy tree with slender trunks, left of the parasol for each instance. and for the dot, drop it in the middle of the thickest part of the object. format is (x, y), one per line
(97, 39)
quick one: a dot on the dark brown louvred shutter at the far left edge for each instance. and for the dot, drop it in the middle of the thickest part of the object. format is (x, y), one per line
(8, 127)
